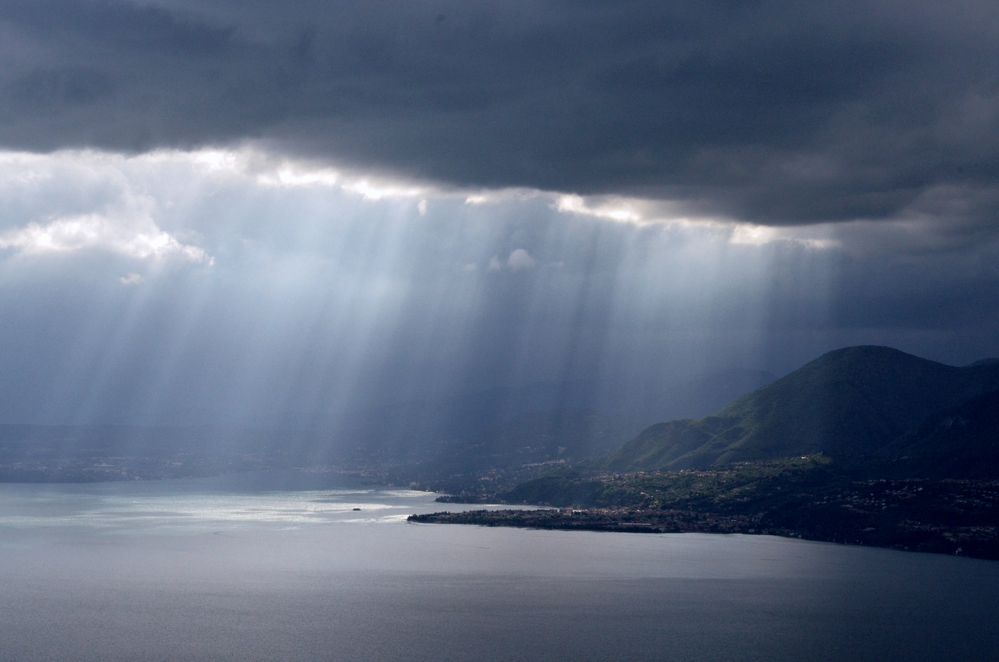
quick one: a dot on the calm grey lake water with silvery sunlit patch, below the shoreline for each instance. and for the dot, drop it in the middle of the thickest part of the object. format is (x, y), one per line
(197, 570)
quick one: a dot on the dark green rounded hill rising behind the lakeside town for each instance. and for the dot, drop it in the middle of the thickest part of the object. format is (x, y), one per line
(851, 404)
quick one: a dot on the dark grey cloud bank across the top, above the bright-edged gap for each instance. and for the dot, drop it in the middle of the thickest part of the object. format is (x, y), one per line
(768, 112)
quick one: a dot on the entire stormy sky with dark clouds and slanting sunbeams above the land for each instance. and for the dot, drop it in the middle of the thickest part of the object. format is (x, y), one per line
(214, 209)
